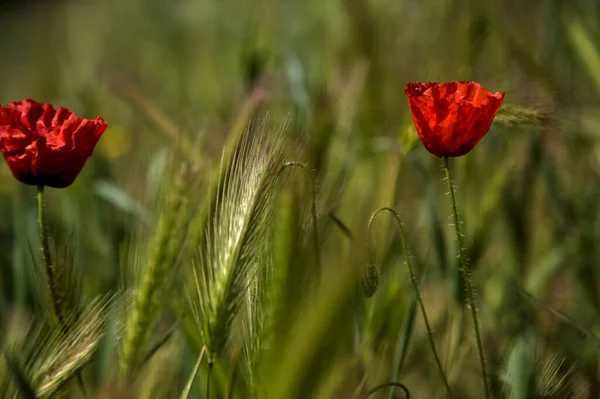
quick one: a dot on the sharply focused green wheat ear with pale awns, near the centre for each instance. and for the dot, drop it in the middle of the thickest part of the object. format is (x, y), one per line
(227, 260)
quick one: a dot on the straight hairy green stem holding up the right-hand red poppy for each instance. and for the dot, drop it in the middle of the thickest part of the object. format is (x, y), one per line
(467, 278)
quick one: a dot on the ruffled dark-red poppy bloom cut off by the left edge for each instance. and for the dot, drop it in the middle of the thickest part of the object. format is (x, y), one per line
(44, 146)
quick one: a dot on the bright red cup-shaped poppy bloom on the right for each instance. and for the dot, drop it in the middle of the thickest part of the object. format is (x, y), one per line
(452, 117)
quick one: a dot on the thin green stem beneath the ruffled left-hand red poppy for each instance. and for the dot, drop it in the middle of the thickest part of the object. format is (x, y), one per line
(49, 267)
